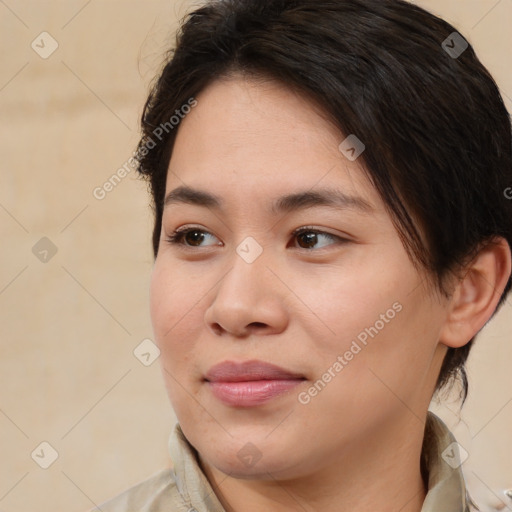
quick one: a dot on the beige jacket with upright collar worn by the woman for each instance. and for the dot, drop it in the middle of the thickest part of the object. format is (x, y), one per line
(186, 489)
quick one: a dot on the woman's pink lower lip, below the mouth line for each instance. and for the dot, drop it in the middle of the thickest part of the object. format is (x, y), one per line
(251, 393)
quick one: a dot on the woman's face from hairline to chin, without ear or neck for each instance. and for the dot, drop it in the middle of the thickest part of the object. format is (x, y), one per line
(291, 322)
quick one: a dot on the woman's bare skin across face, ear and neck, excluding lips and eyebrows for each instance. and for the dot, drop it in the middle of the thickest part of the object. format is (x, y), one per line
(356, 445)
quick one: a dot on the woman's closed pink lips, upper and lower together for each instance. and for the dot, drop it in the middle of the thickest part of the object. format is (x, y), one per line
(250, 383)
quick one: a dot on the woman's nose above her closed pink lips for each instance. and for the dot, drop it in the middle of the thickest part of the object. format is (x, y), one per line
(248, 300)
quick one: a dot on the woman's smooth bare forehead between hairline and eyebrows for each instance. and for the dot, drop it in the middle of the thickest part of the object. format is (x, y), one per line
(247, 135)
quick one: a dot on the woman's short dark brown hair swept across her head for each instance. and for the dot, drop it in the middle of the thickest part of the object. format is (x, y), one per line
(437, 133)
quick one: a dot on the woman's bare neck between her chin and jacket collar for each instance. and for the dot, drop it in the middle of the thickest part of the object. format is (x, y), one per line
(379, 473)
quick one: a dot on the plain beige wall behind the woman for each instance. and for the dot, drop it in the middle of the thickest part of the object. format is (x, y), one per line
(69, 325)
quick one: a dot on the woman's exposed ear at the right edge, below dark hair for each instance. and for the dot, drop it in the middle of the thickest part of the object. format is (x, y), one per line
(477, 294)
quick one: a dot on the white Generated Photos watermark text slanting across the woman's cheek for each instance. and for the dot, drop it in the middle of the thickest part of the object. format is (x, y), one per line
(304, 397)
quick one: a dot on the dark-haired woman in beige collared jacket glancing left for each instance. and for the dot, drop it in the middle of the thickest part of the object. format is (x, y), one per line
(331, 232)
